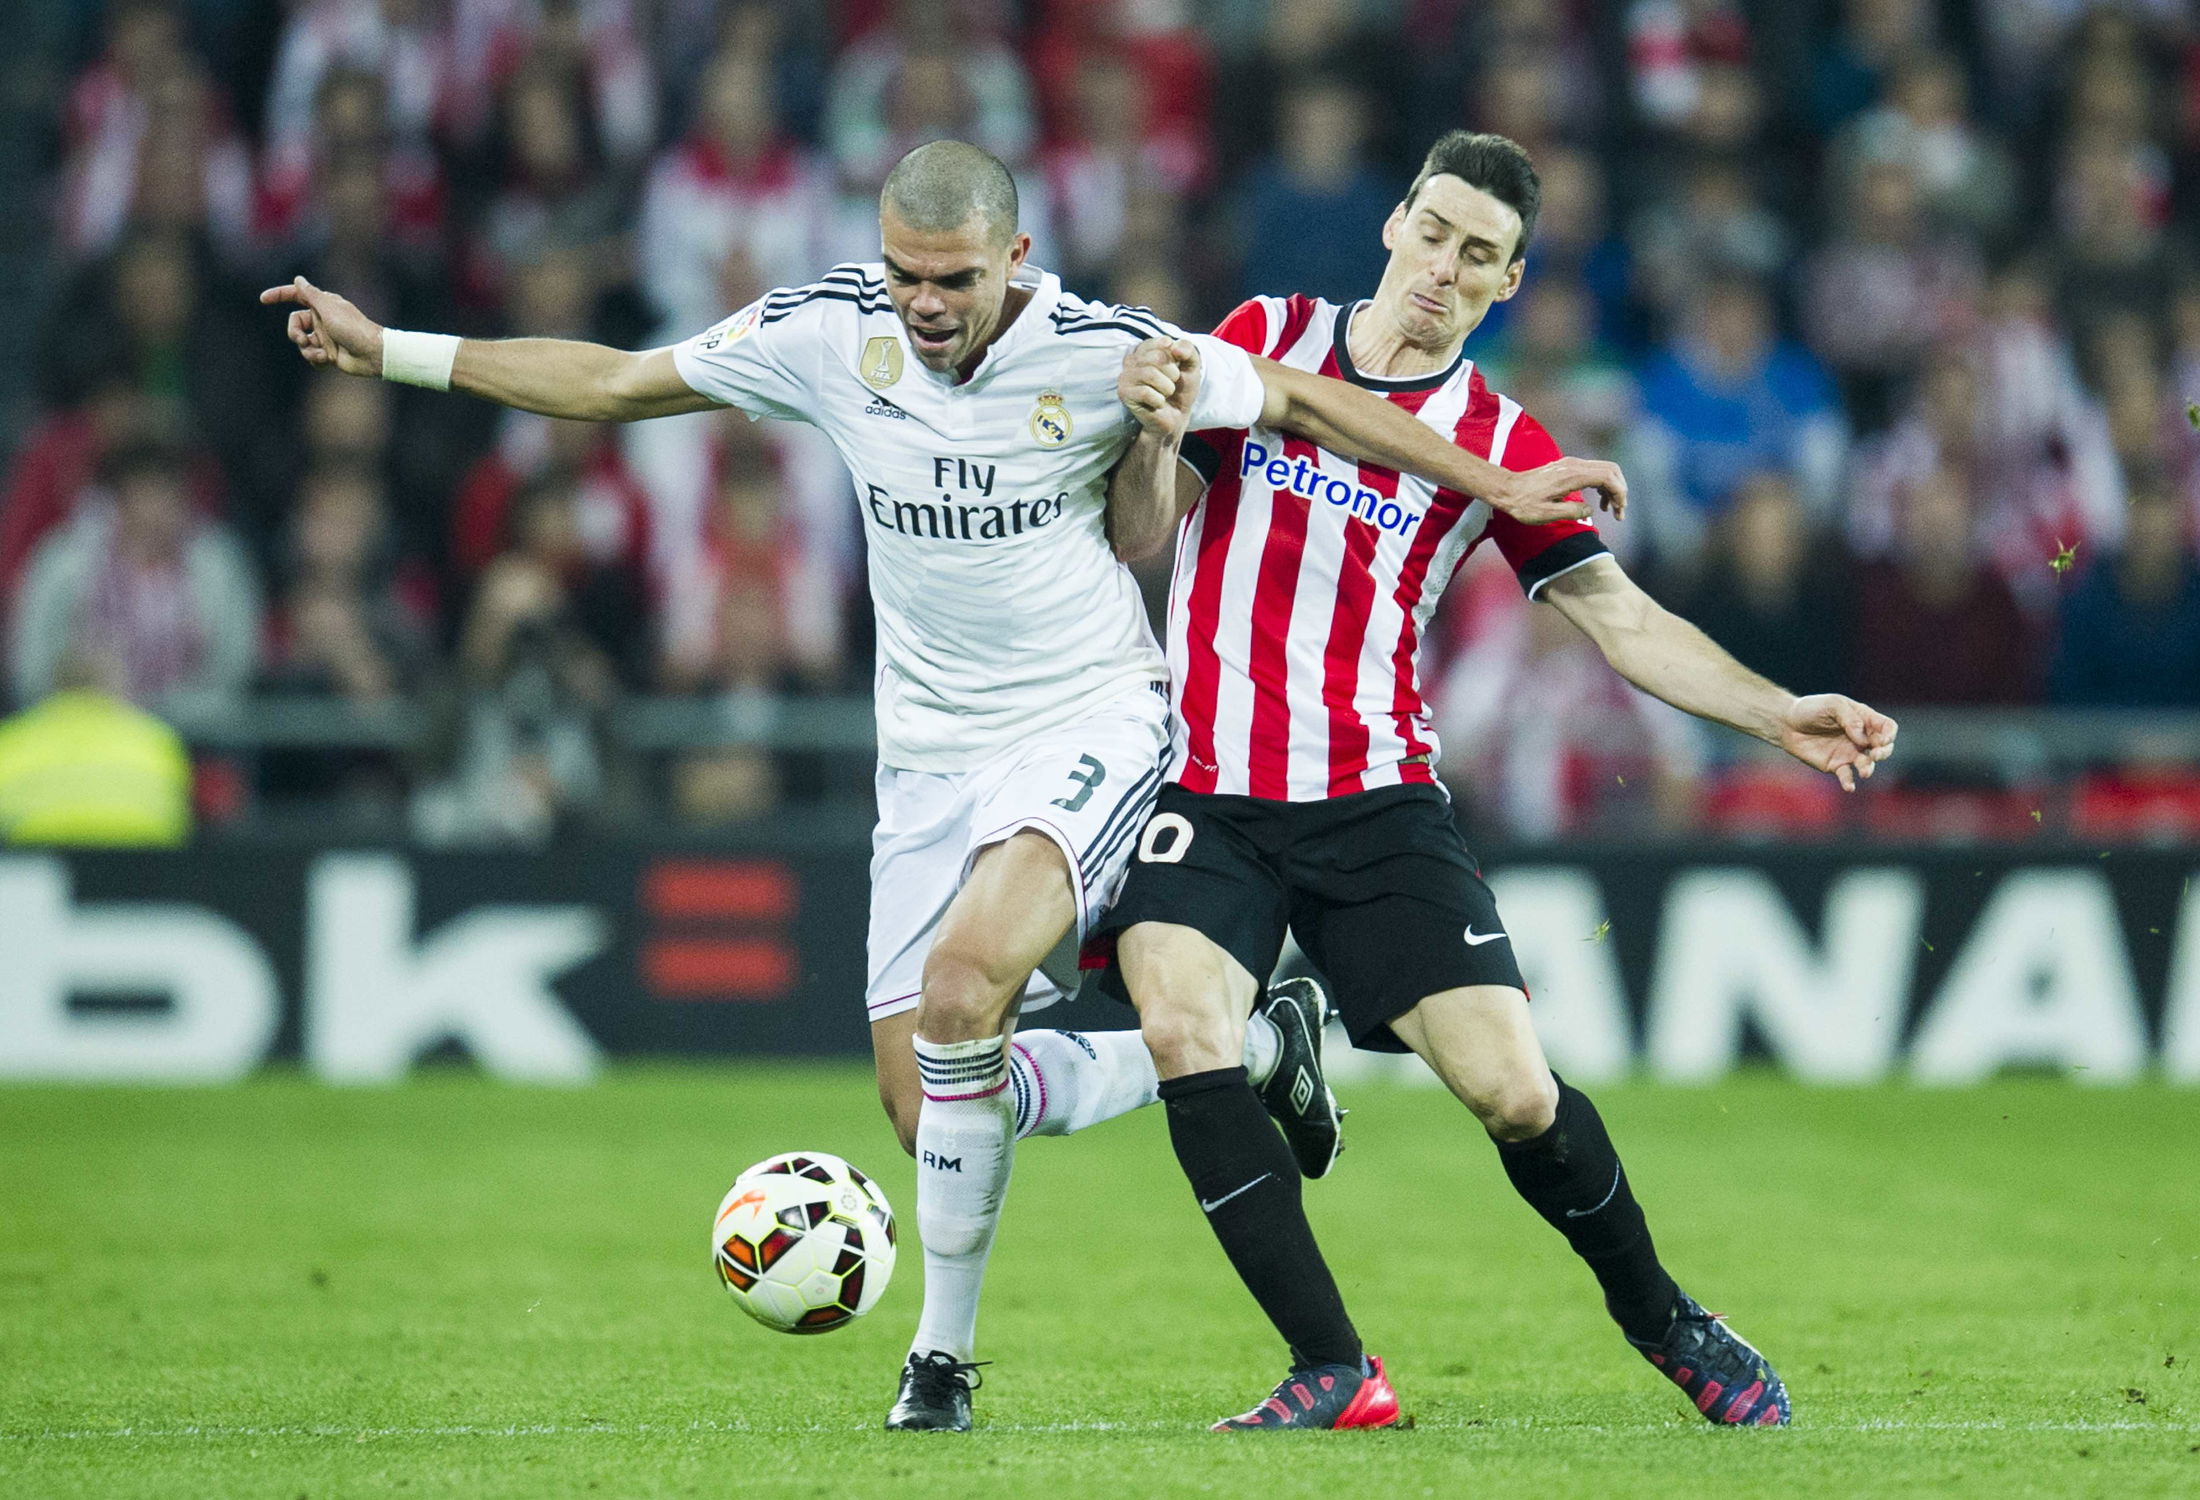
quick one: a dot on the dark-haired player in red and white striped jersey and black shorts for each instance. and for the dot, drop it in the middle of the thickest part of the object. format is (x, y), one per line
(1301, 786)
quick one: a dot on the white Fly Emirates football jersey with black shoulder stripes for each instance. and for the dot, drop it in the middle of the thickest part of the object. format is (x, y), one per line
(1002, 610)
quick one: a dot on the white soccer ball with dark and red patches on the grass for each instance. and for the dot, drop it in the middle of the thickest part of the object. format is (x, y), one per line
(804, 1242)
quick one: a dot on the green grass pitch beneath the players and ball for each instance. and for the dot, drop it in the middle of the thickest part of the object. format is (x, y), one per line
(470, 1290)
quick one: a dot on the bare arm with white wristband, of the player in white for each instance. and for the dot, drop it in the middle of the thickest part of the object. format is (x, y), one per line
(558, 377)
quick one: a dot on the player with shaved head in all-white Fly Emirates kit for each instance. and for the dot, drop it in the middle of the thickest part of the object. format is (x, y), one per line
(1022, 698)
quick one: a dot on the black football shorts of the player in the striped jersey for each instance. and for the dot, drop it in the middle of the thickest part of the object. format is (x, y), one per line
(1378, 890)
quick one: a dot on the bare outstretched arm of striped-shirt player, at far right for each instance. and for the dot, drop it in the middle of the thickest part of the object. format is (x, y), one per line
(1671, 659)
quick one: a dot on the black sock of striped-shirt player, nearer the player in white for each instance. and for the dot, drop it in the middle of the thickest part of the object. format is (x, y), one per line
(1248, 1184)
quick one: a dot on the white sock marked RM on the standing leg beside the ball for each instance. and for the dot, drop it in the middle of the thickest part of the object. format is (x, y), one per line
(967, 1147)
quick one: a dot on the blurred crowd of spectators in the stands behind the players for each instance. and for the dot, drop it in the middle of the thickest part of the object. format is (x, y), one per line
(1889, 309)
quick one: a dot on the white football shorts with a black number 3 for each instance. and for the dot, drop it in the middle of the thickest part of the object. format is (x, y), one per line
(1086, 786)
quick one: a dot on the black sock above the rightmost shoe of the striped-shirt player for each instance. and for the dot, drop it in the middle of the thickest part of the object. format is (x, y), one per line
(1572, 1178)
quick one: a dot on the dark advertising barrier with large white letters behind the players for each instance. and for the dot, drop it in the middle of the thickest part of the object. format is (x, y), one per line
(357, 962)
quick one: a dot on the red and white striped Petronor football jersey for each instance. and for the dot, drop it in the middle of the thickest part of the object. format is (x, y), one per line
(1306, 582)
